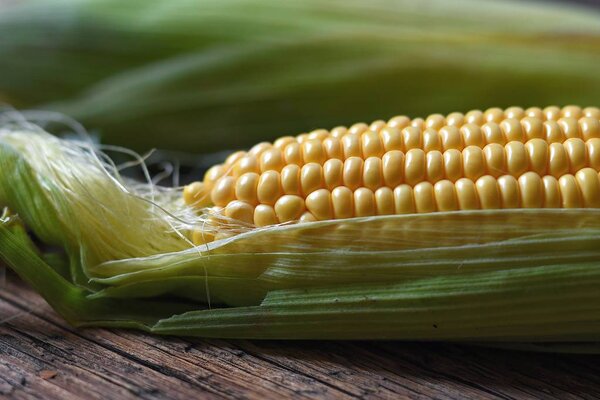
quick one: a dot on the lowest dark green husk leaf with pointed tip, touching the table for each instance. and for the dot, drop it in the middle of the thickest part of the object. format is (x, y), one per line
(550, 303)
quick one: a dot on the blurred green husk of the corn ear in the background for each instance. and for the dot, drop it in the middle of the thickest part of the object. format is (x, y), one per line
(199, 77)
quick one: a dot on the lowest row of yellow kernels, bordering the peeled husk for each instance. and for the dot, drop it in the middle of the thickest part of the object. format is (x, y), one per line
(530, 190)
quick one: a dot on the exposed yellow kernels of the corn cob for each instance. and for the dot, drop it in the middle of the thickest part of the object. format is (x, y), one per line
(480, 160)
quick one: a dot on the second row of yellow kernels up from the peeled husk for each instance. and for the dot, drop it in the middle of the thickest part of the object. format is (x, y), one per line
(415, 166)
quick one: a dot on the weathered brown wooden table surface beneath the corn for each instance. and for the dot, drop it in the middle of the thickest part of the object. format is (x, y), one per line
(42, 357)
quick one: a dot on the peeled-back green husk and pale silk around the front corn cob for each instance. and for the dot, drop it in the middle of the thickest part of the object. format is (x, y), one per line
(124, 260)
